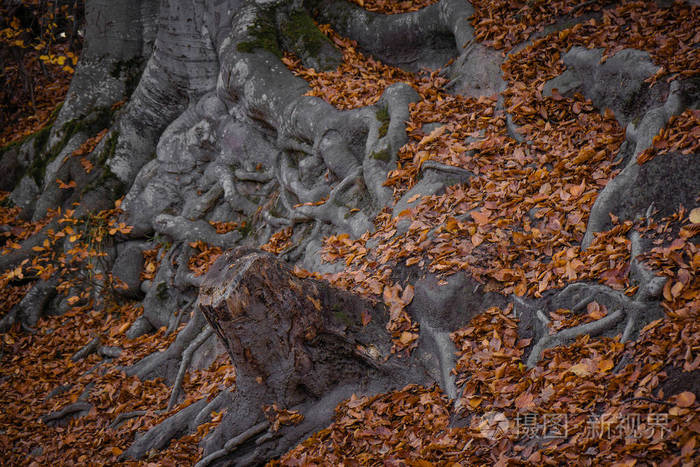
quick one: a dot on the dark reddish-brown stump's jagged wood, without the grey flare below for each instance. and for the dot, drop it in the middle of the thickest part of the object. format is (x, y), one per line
(295, 338)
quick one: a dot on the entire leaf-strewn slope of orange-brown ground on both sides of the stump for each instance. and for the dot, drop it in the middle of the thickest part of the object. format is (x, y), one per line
(516, 228)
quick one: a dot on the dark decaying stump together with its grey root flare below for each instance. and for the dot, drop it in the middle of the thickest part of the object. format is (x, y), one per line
(298, 343)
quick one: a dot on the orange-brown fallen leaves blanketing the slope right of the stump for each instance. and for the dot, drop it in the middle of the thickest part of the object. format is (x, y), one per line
(516, 227)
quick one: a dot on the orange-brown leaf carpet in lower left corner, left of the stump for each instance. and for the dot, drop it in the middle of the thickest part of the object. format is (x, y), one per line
(36, 365)
